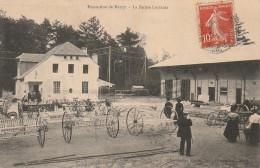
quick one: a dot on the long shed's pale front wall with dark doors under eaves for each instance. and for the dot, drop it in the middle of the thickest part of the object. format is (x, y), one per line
(225, 82)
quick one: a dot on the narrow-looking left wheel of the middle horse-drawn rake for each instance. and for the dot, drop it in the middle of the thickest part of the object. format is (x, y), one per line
(66, 127)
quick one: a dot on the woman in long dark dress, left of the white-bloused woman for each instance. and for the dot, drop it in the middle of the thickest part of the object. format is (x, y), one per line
(231, 131)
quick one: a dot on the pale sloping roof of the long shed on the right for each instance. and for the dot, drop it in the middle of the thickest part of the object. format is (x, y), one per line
(238, 53)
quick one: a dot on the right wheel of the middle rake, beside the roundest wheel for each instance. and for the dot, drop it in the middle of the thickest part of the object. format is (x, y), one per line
(112, 124)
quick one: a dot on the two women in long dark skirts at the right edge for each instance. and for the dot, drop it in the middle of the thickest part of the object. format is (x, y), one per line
(252, 130)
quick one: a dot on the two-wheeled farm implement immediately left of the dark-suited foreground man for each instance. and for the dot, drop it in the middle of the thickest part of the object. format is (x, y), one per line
(135, 122)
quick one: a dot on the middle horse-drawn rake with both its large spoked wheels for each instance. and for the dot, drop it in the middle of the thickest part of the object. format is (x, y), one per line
(73, 120)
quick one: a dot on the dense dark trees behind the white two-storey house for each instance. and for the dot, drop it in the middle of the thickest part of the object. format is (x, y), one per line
(128, 55)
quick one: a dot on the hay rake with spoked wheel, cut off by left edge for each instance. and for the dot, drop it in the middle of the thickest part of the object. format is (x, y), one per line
(21, 127)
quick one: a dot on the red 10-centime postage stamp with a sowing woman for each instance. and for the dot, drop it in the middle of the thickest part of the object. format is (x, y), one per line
(216, 24)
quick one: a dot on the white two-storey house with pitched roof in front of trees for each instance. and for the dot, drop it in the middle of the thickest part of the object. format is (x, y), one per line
(64, 72)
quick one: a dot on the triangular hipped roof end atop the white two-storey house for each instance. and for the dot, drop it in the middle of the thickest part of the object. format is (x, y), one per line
(66, 49)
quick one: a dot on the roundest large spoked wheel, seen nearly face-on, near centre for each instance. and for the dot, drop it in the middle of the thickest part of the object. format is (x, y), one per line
(134, 122)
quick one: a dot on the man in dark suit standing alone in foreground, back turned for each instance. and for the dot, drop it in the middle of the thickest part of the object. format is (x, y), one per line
(184, 132)
